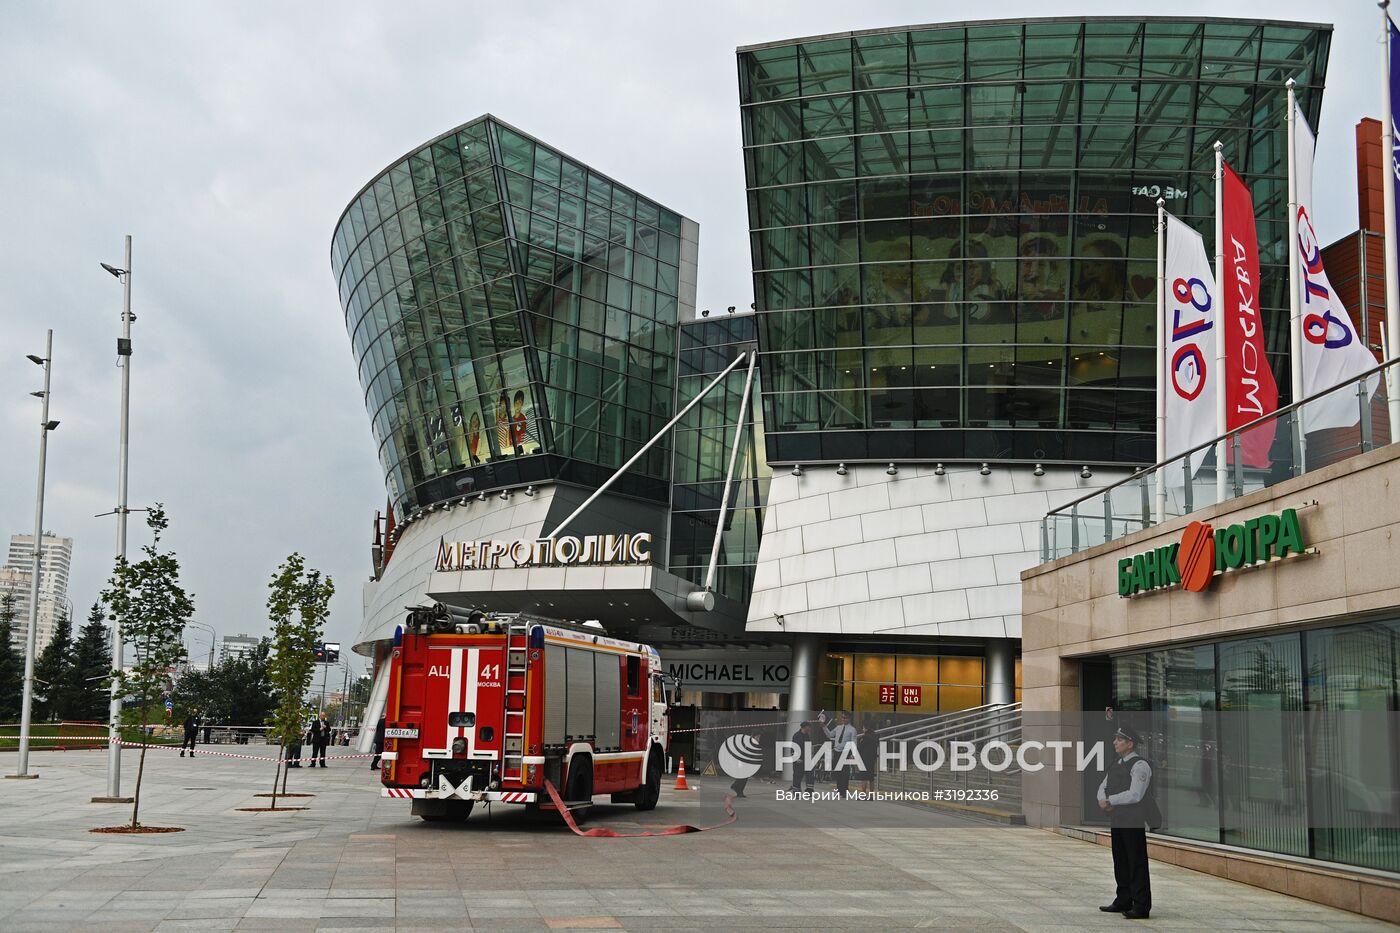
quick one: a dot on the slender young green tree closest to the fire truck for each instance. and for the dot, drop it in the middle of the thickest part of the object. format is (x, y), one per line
(297, 607)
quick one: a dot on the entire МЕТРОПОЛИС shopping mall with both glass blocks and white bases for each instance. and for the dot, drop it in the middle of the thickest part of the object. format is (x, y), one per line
(953, 239)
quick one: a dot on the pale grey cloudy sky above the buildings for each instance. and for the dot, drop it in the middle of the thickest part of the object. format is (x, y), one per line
(227, 139)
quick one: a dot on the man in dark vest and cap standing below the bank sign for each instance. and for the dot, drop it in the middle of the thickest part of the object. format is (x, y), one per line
(1128, 796)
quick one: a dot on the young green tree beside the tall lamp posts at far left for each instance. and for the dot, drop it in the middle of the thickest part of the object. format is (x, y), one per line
(152, 609)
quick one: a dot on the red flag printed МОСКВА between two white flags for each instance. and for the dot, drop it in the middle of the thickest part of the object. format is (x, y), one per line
(1249, 385)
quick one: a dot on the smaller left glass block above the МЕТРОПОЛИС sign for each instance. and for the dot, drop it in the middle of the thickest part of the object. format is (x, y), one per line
(513, 316)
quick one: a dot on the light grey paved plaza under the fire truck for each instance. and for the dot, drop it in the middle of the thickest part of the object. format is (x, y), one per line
(358, 862)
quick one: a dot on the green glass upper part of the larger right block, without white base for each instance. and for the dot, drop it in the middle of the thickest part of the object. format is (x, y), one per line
(954, 226)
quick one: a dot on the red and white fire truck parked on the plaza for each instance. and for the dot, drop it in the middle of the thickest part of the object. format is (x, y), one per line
(491, 707)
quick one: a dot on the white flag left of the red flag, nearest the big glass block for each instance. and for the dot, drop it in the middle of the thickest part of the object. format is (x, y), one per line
(1188, 341)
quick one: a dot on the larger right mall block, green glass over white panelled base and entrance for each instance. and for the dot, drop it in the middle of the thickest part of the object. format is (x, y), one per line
(954, 256)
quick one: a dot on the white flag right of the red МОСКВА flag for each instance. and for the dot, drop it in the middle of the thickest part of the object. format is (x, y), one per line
(1332, 350)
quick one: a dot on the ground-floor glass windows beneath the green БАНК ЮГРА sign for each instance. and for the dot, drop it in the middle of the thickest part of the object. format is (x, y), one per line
(1283, 743)
